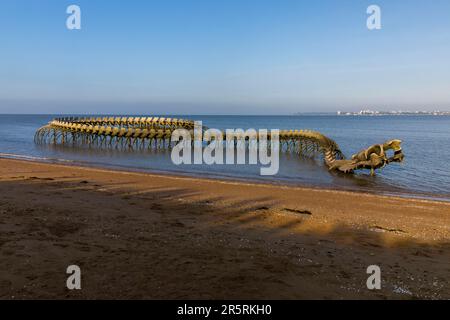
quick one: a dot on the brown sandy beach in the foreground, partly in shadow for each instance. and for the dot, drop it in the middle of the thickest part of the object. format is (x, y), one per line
(149, 236)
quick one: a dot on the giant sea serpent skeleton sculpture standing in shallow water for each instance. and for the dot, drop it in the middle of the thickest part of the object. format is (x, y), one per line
(156, 132)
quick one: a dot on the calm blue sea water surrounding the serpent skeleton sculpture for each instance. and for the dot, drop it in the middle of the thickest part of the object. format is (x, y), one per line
(426, 144)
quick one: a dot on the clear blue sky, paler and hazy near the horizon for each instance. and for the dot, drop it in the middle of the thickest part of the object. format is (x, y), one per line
(223, 56)
